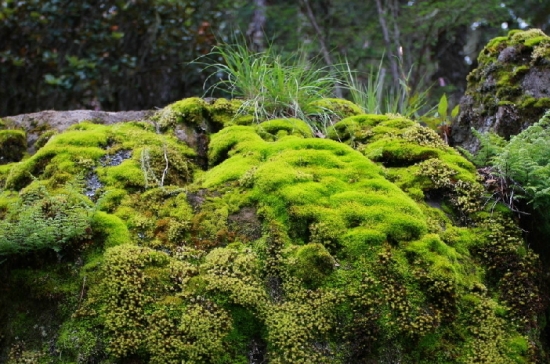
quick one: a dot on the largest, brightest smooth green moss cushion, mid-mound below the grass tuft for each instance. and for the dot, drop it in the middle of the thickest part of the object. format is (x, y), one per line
(319, 181)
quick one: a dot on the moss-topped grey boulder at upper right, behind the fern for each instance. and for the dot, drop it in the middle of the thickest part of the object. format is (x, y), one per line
(508, 91)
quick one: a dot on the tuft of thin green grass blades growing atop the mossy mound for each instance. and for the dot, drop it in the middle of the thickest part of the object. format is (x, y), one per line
(270, 84)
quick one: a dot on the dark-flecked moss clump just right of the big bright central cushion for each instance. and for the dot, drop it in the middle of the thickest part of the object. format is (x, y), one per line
(416, 159)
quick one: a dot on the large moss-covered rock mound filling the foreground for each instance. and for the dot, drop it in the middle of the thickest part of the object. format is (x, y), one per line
(370, 245)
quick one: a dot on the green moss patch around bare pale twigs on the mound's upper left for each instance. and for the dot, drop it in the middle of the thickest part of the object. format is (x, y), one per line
(86, 146)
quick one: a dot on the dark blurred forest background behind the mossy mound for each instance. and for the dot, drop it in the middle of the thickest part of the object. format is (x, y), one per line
(138, 54)
